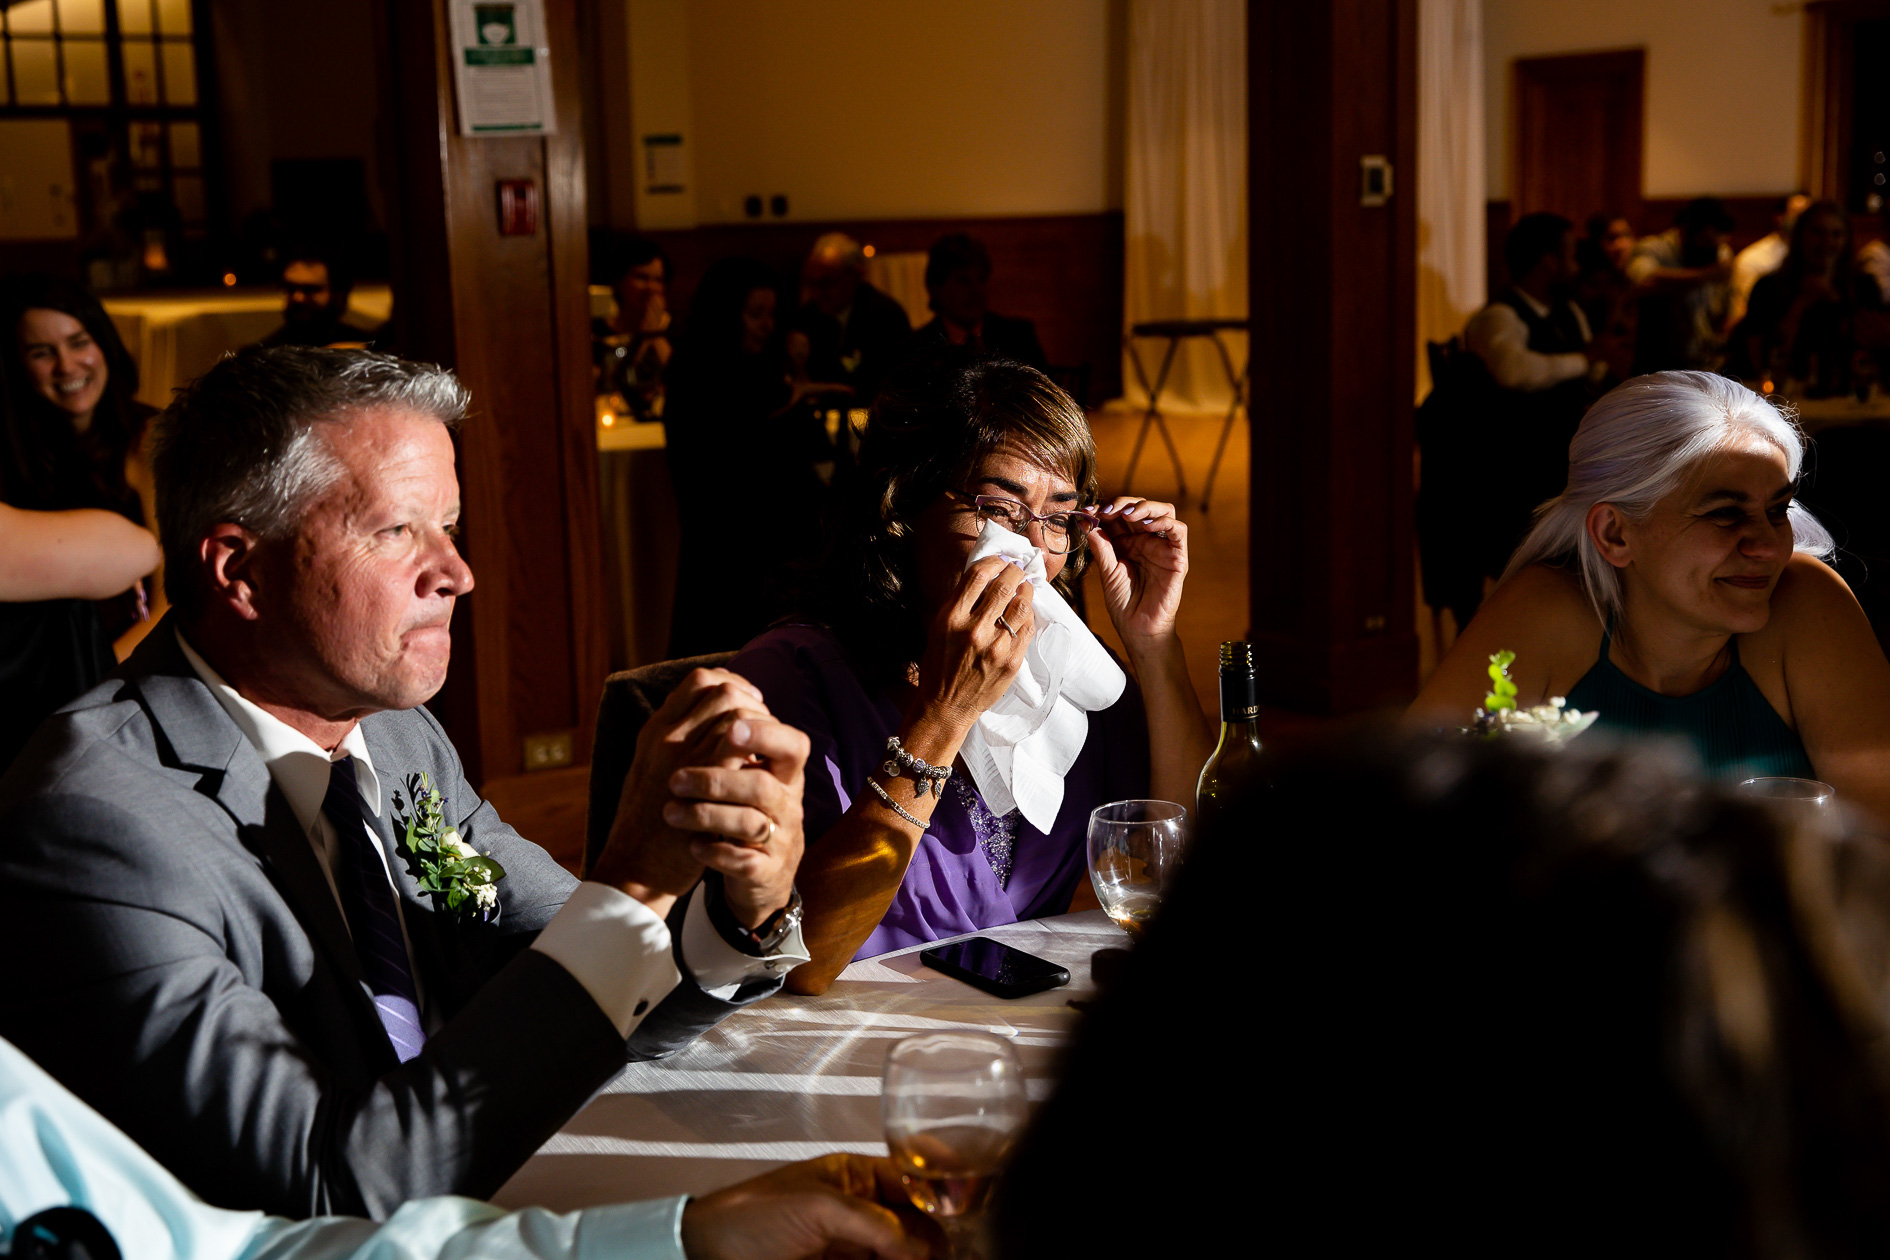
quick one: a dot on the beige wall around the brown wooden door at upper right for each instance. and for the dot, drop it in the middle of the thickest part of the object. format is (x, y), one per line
(1723, 84)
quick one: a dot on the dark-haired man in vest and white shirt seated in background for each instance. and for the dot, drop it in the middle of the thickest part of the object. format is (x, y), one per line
(1545, 367)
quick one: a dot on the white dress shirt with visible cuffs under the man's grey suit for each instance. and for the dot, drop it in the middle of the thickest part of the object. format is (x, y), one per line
(610, 942)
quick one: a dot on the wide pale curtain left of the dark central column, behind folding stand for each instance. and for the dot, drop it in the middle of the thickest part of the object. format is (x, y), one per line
(1186, 197)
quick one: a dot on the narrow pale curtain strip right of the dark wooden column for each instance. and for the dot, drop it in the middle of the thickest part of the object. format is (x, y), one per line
(1451, 171)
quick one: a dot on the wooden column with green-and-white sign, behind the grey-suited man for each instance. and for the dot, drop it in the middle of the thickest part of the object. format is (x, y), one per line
(511, 316)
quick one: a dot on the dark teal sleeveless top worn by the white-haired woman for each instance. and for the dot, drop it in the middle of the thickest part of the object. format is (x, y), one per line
(1732, 726)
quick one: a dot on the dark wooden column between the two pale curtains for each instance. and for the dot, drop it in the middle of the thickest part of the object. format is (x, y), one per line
(1333, 299)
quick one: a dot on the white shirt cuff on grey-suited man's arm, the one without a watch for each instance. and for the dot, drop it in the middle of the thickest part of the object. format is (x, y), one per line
(617, 949)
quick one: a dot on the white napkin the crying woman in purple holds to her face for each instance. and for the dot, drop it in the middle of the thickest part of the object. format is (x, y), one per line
(1023, 745)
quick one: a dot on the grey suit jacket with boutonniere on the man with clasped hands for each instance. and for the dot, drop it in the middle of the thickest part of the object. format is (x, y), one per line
(177, 959)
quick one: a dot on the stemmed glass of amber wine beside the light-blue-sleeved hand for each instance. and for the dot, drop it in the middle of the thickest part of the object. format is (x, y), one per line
(952, 1106)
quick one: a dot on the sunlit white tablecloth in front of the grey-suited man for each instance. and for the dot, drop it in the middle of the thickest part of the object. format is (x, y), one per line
(797, 1078)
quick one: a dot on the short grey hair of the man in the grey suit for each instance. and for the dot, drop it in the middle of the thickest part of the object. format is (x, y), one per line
(243, 443)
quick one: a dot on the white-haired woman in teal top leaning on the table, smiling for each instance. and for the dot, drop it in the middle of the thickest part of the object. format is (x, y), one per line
(1677, 588)
